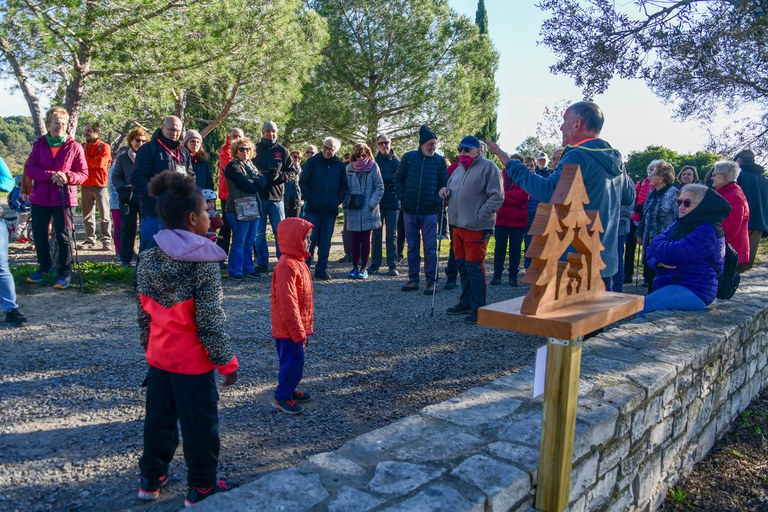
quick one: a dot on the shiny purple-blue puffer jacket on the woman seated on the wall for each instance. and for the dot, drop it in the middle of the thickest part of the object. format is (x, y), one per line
(691, 255)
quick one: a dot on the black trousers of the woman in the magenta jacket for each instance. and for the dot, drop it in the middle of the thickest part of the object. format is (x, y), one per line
(41, 219)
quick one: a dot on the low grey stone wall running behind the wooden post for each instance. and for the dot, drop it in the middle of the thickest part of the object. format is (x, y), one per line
(654, 396)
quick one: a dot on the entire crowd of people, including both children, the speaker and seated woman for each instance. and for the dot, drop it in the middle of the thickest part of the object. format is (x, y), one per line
(162, 187)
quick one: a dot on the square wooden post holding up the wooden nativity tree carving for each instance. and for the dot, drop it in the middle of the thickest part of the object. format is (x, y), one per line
(558, 425)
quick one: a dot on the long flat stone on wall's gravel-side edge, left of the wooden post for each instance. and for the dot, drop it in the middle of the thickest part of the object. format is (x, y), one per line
(476, 406)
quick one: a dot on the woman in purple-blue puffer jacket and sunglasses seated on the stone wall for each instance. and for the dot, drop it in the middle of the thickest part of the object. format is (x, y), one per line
(688, 256)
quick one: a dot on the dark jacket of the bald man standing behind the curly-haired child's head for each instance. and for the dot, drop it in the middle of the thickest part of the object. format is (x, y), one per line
(151, 160)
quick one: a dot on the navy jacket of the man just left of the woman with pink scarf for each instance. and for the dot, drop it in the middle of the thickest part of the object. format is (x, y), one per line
(323, 185)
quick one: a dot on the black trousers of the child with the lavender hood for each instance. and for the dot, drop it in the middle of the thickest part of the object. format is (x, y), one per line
(192, 401)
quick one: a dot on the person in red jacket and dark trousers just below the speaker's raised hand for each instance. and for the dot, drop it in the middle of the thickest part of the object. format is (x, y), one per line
(511, 222)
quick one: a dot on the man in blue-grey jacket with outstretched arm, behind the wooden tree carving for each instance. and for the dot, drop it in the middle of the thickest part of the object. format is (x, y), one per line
(601, 167)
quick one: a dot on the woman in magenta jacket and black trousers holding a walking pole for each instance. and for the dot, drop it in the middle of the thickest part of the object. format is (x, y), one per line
(56, 166)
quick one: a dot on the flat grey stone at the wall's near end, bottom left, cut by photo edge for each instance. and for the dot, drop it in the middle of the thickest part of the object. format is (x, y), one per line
(273, 491)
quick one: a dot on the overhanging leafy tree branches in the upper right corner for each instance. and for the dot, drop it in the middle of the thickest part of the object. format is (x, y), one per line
(703, 56)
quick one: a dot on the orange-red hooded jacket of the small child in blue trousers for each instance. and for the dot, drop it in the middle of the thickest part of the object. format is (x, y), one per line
(293, 308)
